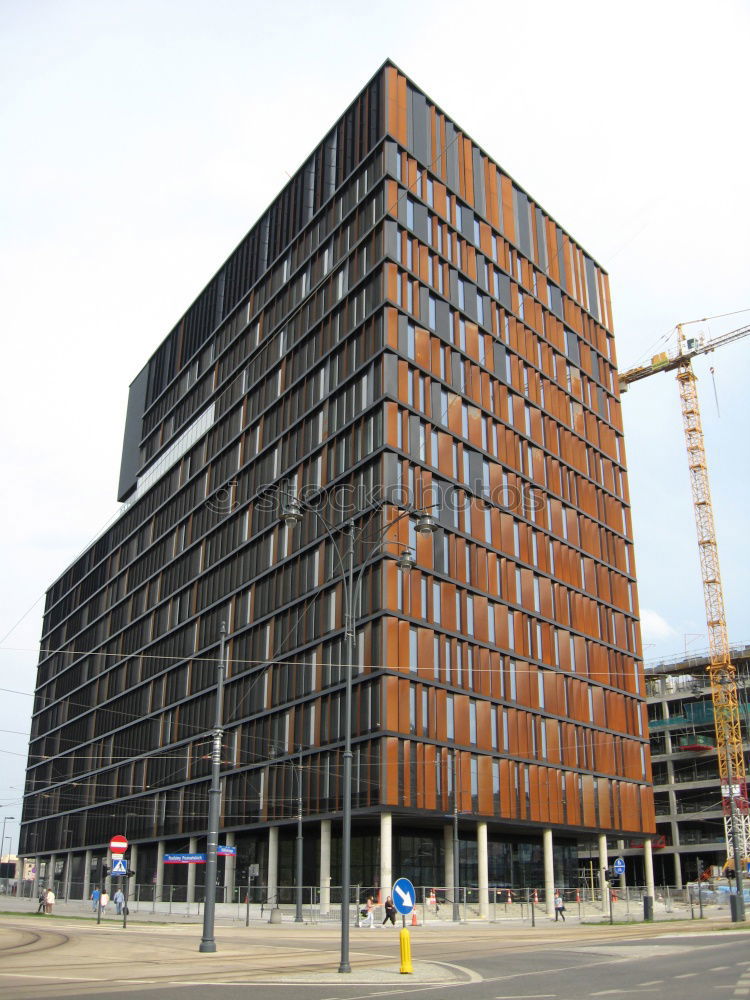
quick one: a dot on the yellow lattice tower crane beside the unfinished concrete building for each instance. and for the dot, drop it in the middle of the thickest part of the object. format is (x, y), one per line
(722, 677)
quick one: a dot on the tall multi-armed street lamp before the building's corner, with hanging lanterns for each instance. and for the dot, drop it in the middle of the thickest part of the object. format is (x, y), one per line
(292, 513)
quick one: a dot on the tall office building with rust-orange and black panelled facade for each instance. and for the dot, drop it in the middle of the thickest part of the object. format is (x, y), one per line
(404, 324)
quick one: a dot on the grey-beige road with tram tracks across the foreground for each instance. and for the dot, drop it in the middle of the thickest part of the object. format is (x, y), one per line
(69, 959)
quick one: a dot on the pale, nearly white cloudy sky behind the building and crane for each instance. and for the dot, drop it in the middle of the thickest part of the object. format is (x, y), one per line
(139, 142)
